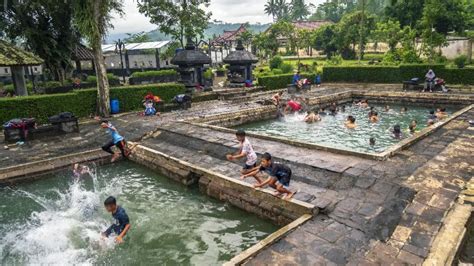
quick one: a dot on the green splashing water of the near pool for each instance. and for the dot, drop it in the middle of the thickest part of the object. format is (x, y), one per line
(58, 221)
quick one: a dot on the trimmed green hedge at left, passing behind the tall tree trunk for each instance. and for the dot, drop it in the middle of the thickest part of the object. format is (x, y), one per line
(81, 102)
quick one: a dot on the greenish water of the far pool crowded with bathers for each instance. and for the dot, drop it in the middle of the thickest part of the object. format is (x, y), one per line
(331, 132)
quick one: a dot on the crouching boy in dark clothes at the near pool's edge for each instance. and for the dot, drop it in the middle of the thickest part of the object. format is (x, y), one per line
(279, 176)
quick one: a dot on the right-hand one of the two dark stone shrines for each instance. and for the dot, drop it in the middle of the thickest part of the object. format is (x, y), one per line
(240, 65)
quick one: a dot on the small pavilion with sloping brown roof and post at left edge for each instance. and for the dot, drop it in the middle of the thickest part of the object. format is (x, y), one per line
(17, 58)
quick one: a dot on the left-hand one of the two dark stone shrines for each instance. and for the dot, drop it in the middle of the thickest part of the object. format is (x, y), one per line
(191, 63)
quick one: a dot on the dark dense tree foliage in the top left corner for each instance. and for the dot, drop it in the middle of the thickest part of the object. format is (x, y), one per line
(45, 27)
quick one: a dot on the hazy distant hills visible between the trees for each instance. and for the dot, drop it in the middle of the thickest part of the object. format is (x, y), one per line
(214, 29)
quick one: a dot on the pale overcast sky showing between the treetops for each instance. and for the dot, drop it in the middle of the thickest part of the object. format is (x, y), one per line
(236, 11)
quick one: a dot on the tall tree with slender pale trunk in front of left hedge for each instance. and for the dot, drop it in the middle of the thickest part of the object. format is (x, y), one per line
(92, 18)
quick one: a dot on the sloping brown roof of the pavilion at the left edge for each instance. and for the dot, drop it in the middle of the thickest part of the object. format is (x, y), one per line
(11, 55)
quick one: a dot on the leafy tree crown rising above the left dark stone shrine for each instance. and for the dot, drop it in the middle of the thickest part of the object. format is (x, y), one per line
(180, 19)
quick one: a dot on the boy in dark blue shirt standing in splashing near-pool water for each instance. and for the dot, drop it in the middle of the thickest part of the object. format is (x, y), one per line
(122, 222)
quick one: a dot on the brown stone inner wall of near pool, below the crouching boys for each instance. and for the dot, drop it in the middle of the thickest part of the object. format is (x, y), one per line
(236, 192)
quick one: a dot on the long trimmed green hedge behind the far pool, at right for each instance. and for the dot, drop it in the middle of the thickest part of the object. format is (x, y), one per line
(395, 74)
